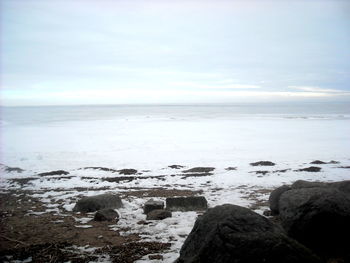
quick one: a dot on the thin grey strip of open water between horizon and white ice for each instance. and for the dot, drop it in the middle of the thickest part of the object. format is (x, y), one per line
(46, 114)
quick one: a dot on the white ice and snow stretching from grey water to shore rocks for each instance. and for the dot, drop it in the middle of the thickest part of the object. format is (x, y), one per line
(153, 142)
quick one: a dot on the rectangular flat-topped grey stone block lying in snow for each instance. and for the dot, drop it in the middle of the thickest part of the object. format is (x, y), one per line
(191, 203)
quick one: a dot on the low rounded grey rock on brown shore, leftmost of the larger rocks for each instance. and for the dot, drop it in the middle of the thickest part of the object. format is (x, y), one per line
(97, 202)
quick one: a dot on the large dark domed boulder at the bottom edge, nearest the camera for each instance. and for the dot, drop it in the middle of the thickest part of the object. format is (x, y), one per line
(229, 233)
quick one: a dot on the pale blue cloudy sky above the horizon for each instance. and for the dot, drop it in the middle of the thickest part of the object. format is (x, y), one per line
(60, 52)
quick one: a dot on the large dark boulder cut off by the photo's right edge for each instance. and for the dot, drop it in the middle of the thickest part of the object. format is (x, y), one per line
(318, 218)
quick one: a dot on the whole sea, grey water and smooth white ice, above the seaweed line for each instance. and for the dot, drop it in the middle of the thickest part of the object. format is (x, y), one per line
(148, 136)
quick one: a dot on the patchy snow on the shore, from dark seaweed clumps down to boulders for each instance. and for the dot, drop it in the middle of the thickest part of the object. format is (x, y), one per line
(244, 186)
